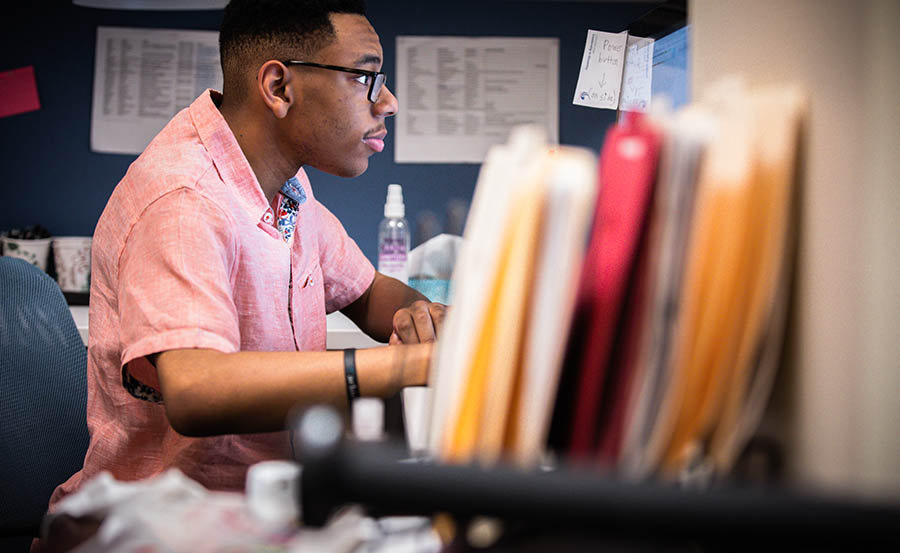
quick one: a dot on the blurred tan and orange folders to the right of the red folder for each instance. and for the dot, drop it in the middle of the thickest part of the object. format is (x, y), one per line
(698, 342)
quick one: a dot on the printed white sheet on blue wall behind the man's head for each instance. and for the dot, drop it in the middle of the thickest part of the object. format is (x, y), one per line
(142, 77)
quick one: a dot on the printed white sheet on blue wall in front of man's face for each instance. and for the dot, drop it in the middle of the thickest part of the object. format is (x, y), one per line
(461, 95)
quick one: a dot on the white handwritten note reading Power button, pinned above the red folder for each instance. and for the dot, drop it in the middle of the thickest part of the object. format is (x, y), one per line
(615, 71)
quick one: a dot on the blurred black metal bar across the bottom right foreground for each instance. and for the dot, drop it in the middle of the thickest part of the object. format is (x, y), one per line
(340, 473)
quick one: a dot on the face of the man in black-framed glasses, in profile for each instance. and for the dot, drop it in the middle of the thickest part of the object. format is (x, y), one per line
(335, 128)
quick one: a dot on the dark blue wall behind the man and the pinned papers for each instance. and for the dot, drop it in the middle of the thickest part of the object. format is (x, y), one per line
(50, 176)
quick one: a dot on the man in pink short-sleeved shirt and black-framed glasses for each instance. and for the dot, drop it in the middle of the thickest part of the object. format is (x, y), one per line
(214, 265)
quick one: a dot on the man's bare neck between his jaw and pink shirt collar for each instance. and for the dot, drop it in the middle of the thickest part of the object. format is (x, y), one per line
(270, 165)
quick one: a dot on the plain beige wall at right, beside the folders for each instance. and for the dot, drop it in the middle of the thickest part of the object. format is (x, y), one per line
(837, 404)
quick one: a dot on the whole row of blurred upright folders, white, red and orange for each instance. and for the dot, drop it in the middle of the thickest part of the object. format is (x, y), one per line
(625, 313)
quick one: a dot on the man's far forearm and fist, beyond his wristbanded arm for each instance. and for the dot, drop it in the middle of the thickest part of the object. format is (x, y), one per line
(392, 311)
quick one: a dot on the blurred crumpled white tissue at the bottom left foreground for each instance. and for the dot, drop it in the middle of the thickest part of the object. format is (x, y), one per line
(172, 513)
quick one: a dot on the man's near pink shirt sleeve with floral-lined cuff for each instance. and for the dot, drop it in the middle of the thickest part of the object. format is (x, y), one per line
(175, 283)
